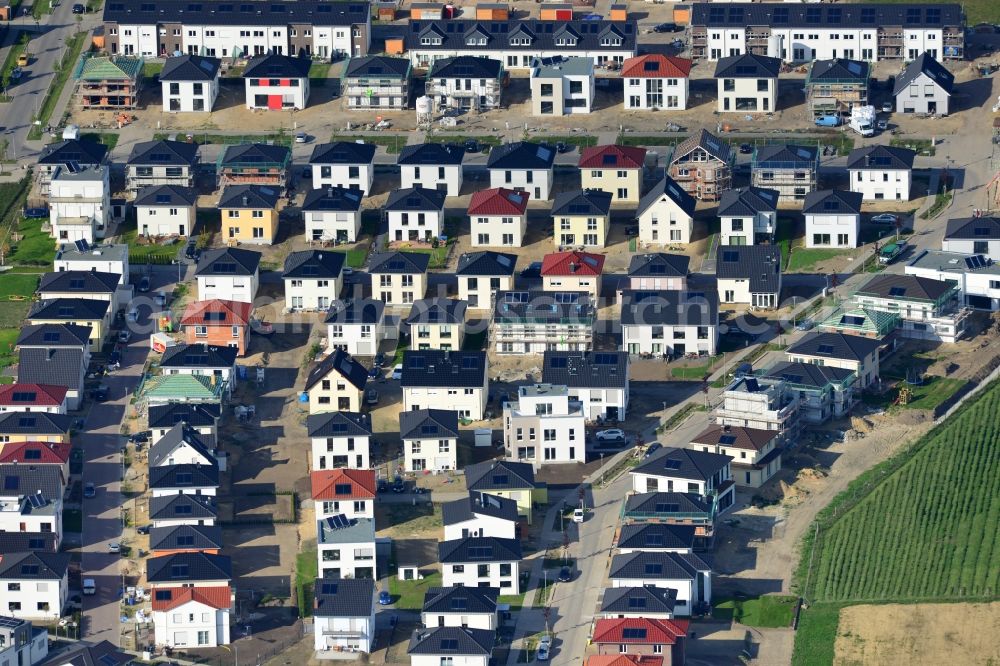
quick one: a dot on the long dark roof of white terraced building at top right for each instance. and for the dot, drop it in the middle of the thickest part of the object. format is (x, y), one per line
(741, 15)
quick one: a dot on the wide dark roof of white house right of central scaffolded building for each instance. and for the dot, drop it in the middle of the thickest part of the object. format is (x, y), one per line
(670, 308)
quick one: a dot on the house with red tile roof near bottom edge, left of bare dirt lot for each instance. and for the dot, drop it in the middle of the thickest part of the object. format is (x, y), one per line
(642, 636)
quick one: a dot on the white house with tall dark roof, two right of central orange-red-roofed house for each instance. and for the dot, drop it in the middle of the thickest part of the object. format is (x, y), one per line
(749, 274)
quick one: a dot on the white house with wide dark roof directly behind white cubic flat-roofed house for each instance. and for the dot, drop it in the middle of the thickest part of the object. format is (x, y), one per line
(599, 380)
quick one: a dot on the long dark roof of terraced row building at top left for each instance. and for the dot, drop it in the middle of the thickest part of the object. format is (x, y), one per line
(223, 13)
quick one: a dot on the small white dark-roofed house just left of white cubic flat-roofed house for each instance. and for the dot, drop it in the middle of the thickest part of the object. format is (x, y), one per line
(430, 439)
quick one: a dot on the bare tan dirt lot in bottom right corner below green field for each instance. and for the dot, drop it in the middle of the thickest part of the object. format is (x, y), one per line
(898, 634)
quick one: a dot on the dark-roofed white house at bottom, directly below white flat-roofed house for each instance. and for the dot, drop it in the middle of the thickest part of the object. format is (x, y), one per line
(343, 615)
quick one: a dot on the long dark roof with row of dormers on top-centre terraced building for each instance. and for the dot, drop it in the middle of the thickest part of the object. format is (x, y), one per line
(541, 35)
